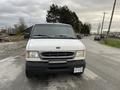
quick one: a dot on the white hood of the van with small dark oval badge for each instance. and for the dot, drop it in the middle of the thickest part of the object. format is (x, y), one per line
(55, 45)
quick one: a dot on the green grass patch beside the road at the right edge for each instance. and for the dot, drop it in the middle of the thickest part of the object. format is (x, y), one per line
(111, 42)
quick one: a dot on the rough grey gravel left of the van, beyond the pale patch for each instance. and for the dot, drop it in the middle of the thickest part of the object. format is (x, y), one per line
(8, 49)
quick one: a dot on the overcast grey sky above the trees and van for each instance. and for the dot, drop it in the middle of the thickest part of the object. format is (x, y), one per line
(34, 11)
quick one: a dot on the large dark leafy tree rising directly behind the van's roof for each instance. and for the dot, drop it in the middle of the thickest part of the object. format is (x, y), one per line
(64, 15)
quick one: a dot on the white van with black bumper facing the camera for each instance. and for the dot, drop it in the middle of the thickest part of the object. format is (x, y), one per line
(54, 48)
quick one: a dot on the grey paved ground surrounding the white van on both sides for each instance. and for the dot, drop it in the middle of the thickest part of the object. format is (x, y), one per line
(102, 72)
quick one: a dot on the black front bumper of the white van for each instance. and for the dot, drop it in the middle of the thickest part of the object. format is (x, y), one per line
(45, 67)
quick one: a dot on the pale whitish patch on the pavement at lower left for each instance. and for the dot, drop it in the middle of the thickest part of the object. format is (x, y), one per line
(9, 71)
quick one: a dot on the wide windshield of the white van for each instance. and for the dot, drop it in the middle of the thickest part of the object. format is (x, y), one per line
(53, 31)
